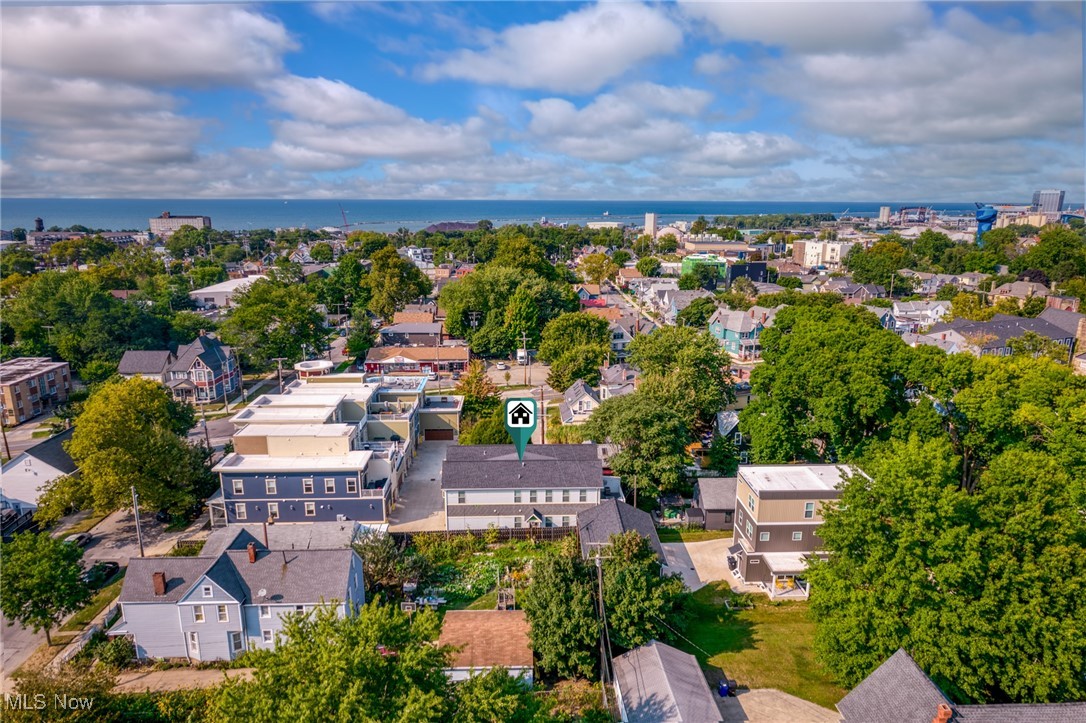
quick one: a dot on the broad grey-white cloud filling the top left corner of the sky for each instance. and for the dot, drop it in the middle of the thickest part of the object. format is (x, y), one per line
(198, 45)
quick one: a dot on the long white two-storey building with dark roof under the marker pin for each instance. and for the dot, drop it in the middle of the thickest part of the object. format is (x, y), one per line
(487, 486)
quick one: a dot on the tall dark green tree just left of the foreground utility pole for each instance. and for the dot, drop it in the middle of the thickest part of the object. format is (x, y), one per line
(562, 611)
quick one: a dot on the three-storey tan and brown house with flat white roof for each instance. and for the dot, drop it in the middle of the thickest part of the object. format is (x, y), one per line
(778, 513)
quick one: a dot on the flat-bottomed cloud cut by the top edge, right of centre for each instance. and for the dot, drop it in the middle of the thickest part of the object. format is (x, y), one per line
(813, 26)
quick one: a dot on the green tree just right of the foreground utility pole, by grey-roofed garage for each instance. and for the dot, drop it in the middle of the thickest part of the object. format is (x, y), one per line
(642, 604)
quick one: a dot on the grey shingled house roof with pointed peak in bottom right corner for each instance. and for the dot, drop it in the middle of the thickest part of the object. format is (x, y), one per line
(900, 691)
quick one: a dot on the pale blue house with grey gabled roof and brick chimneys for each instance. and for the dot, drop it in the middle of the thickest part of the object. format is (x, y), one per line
(216, 608)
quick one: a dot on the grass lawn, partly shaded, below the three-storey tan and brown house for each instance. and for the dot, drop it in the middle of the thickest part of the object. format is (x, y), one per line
(767, 648)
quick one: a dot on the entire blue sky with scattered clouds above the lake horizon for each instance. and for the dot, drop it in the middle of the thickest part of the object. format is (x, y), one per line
(865, 102)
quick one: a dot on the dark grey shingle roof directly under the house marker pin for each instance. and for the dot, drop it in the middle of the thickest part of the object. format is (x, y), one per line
(497, 467)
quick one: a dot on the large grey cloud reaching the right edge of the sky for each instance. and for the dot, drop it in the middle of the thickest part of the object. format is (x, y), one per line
(963, 82)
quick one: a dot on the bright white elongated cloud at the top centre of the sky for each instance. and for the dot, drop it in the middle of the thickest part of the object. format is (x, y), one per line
(579, 53)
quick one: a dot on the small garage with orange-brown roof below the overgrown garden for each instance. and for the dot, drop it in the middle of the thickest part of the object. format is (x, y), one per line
(486, 640)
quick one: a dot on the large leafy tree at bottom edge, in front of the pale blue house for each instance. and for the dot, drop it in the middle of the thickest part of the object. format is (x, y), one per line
(380, 665)
